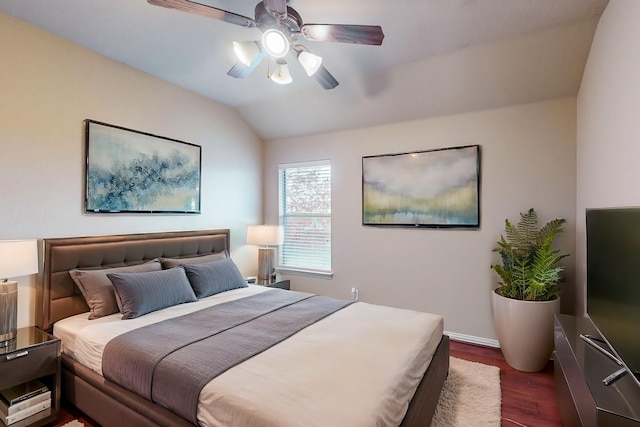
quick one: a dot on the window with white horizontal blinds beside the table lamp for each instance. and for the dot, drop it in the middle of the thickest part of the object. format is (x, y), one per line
(305, 213)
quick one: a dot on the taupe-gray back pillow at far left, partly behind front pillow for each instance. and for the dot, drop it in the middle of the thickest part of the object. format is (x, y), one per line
(97, 289)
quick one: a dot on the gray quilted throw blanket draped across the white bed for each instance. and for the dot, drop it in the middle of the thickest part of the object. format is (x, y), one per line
(171, 361)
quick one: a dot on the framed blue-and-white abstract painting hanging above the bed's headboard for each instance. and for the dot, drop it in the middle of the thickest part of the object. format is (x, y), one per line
(129, 171)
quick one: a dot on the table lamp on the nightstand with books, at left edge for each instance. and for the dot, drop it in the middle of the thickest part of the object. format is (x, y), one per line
(17, 258)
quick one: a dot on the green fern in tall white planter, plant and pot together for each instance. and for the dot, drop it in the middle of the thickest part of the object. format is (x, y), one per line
(528, 296)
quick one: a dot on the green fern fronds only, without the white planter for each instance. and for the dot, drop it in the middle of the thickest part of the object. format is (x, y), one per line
(530, 267)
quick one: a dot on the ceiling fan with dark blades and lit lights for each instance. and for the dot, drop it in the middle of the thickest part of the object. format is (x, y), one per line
(282, 30)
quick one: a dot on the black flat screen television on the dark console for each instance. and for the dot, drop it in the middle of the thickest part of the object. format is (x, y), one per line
(613, 281)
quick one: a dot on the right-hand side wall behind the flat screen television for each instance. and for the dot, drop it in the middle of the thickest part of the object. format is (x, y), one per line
(608, 129)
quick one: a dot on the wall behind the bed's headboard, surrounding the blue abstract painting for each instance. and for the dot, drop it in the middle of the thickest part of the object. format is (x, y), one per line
(48, 87)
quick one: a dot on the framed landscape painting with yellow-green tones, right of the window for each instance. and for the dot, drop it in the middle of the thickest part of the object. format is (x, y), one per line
(437, 188)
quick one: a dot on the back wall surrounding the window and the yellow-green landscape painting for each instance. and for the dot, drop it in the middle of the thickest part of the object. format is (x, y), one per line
(528, 160)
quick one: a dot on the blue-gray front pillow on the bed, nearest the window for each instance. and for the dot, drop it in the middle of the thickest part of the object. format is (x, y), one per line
(214, 277)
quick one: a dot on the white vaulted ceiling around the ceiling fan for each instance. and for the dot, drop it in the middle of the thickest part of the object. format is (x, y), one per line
(438, 57)
